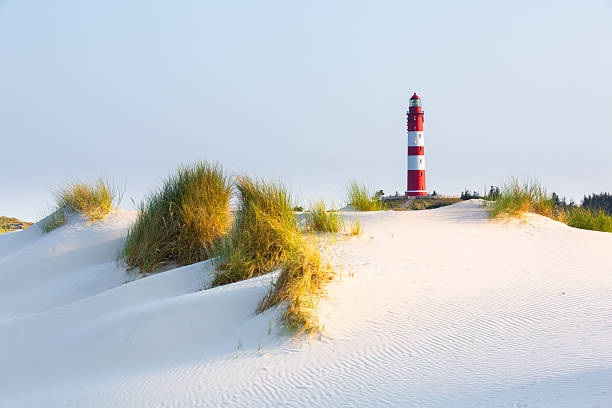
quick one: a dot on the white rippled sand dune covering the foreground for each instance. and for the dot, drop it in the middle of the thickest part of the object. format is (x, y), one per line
(436, 308)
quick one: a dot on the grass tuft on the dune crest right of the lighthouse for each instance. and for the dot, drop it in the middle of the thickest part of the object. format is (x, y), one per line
(514, 199)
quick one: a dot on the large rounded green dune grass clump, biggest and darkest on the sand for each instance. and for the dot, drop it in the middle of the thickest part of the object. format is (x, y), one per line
(182, 220)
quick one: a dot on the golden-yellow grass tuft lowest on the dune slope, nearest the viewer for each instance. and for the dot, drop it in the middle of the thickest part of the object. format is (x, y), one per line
(299, 285)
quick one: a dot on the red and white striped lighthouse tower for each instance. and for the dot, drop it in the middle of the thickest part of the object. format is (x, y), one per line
(416, 149)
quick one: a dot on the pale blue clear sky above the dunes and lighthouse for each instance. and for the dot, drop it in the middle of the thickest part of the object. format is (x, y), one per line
(309, 93)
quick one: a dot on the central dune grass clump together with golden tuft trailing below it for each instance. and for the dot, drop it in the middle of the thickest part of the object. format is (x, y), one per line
(265, 237)
